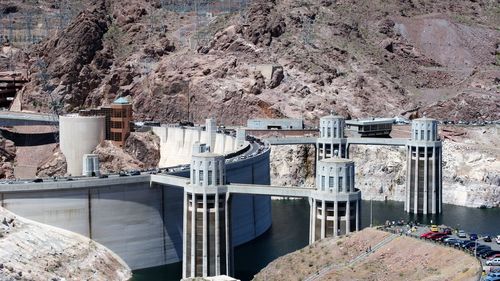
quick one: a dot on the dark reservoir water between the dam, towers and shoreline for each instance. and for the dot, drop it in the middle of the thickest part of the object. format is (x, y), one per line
(290, 232)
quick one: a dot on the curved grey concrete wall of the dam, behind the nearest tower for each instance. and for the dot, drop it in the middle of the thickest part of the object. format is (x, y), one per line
(138, 220)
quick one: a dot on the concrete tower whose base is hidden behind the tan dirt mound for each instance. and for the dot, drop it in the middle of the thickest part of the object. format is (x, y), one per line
(336, 203)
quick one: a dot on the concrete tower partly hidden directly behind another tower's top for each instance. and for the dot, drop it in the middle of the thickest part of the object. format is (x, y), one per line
(331, 139)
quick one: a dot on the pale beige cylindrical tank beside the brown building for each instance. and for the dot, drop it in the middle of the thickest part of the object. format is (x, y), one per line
(79, 135)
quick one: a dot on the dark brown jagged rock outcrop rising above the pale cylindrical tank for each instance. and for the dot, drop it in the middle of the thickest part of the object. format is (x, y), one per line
(70, 62)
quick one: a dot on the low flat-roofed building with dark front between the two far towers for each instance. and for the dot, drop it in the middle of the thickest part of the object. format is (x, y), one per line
(374, 127)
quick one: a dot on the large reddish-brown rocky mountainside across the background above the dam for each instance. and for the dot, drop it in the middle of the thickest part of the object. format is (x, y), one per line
(361, 58)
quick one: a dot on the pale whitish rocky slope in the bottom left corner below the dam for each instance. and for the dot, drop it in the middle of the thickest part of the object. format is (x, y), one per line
(33, 251)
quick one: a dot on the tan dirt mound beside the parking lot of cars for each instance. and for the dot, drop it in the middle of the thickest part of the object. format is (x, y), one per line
(403, 258)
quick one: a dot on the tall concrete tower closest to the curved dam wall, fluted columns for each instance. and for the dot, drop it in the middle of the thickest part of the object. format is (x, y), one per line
(206, 247)
